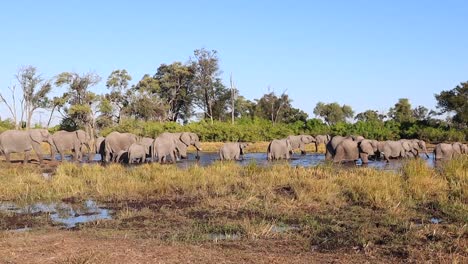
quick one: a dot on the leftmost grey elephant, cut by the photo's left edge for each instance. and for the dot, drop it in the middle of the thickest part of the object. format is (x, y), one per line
(19, 141)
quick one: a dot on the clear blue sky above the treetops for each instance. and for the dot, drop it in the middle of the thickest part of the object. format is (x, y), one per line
(363, 53)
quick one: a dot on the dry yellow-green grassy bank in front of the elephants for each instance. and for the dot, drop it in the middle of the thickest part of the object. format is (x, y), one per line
(325, 208)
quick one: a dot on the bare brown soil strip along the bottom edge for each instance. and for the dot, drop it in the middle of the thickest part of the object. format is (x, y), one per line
(81, 247)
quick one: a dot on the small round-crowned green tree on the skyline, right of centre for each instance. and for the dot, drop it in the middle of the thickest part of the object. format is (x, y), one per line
(333, 113)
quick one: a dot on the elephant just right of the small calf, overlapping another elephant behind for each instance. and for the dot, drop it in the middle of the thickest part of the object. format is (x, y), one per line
(167, 144)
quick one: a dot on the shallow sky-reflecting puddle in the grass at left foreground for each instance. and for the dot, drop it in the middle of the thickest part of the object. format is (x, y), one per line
(66, 214)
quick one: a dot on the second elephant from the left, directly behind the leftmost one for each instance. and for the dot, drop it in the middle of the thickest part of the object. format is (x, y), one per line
(70, 141)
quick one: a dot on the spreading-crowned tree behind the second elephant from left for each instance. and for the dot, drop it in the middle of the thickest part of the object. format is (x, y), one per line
(81, 101)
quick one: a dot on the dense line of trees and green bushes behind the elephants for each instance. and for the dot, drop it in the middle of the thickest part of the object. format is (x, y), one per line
(191, 96)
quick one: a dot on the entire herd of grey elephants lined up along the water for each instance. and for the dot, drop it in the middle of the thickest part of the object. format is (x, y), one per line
(130, 148)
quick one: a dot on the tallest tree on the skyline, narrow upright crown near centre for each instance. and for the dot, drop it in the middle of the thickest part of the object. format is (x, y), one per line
(206, 70)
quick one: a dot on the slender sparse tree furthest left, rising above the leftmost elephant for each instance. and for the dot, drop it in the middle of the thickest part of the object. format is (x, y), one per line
(35, 90)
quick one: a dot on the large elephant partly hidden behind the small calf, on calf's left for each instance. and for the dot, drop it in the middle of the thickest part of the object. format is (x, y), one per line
(115, 142)
